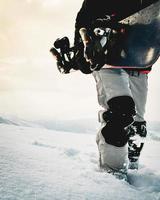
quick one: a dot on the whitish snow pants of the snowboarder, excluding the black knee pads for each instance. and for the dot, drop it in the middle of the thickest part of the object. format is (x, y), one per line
(113, 83)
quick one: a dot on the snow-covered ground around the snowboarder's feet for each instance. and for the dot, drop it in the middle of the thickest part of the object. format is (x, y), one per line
(41, 164)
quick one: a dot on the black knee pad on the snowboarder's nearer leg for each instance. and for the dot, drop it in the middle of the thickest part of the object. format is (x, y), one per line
(119, 115)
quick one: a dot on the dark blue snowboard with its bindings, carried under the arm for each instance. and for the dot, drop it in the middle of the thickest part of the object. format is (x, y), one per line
(120, 45)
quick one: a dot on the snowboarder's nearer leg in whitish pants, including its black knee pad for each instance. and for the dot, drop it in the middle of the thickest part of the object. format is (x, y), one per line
(115, 96)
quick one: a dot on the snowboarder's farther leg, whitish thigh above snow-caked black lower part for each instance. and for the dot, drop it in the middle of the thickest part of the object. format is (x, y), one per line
(138, 131)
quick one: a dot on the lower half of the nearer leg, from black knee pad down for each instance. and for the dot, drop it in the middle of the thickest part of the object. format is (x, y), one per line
(113, 137)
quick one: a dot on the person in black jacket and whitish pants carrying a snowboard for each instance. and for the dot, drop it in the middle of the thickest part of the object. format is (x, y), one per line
(122, 92)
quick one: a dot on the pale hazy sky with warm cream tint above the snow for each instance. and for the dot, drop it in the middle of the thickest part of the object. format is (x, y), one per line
(30, 84)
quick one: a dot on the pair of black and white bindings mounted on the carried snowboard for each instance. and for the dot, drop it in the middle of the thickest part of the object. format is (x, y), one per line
(69, 58)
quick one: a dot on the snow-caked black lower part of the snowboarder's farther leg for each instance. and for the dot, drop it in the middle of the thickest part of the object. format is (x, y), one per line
(137, 134)
